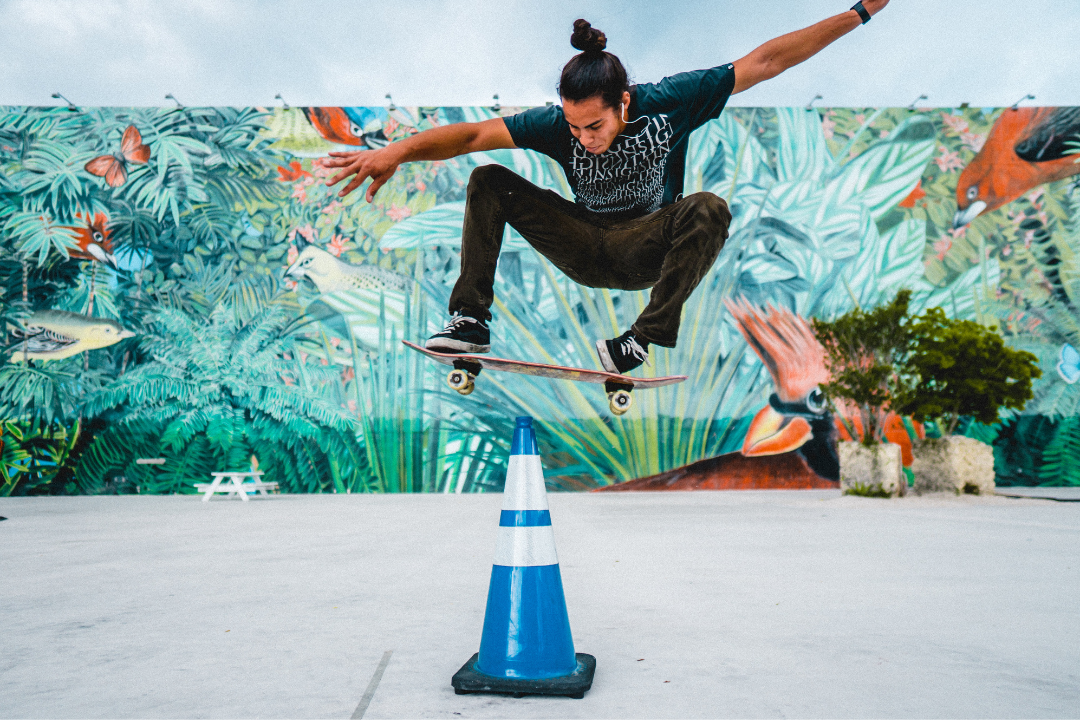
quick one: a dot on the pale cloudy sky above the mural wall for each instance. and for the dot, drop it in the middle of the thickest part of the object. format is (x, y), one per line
(463, 52)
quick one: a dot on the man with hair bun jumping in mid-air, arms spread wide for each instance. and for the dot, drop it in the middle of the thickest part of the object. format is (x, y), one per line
(624, 151)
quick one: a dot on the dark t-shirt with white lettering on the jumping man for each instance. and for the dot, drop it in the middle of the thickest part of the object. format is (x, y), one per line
(643, 170)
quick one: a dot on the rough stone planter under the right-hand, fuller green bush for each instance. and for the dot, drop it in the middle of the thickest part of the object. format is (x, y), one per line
(953, 465)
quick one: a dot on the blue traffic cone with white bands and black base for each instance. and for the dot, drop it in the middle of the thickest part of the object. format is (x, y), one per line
(526, 647)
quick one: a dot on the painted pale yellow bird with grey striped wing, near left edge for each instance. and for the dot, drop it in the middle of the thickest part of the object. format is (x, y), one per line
(57, 334)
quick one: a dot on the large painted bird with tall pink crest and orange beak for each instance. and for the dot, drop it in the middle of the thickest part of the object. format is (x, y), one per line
(790, 444)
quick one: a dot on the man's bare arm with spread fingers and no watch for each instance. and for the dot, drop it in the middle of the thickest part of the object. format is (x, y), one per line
(436, 144)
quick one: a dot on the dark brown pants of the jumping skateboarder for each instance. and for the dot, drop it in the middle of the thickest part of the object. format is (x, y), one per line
(669, 251)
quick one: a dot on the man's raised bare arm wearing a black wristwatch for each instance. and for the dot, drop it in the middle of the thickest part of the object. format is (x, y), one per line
(774, 58)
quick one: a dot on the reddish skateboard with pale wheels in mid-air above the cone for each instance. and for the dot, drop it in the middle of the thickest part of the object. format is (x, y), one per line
(467, 368)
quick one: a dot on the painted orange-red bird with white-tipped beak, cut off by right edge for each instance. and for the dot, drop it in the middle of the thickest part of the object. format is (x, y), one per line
(1027, 148)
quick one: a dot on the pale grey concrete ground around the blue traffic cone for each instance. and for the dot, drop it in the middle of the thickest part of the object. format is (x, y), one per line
(708, 605)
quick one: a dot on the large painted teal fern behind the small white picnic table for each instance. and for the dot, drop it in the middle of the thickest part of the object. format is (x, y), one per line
(214, 395)
